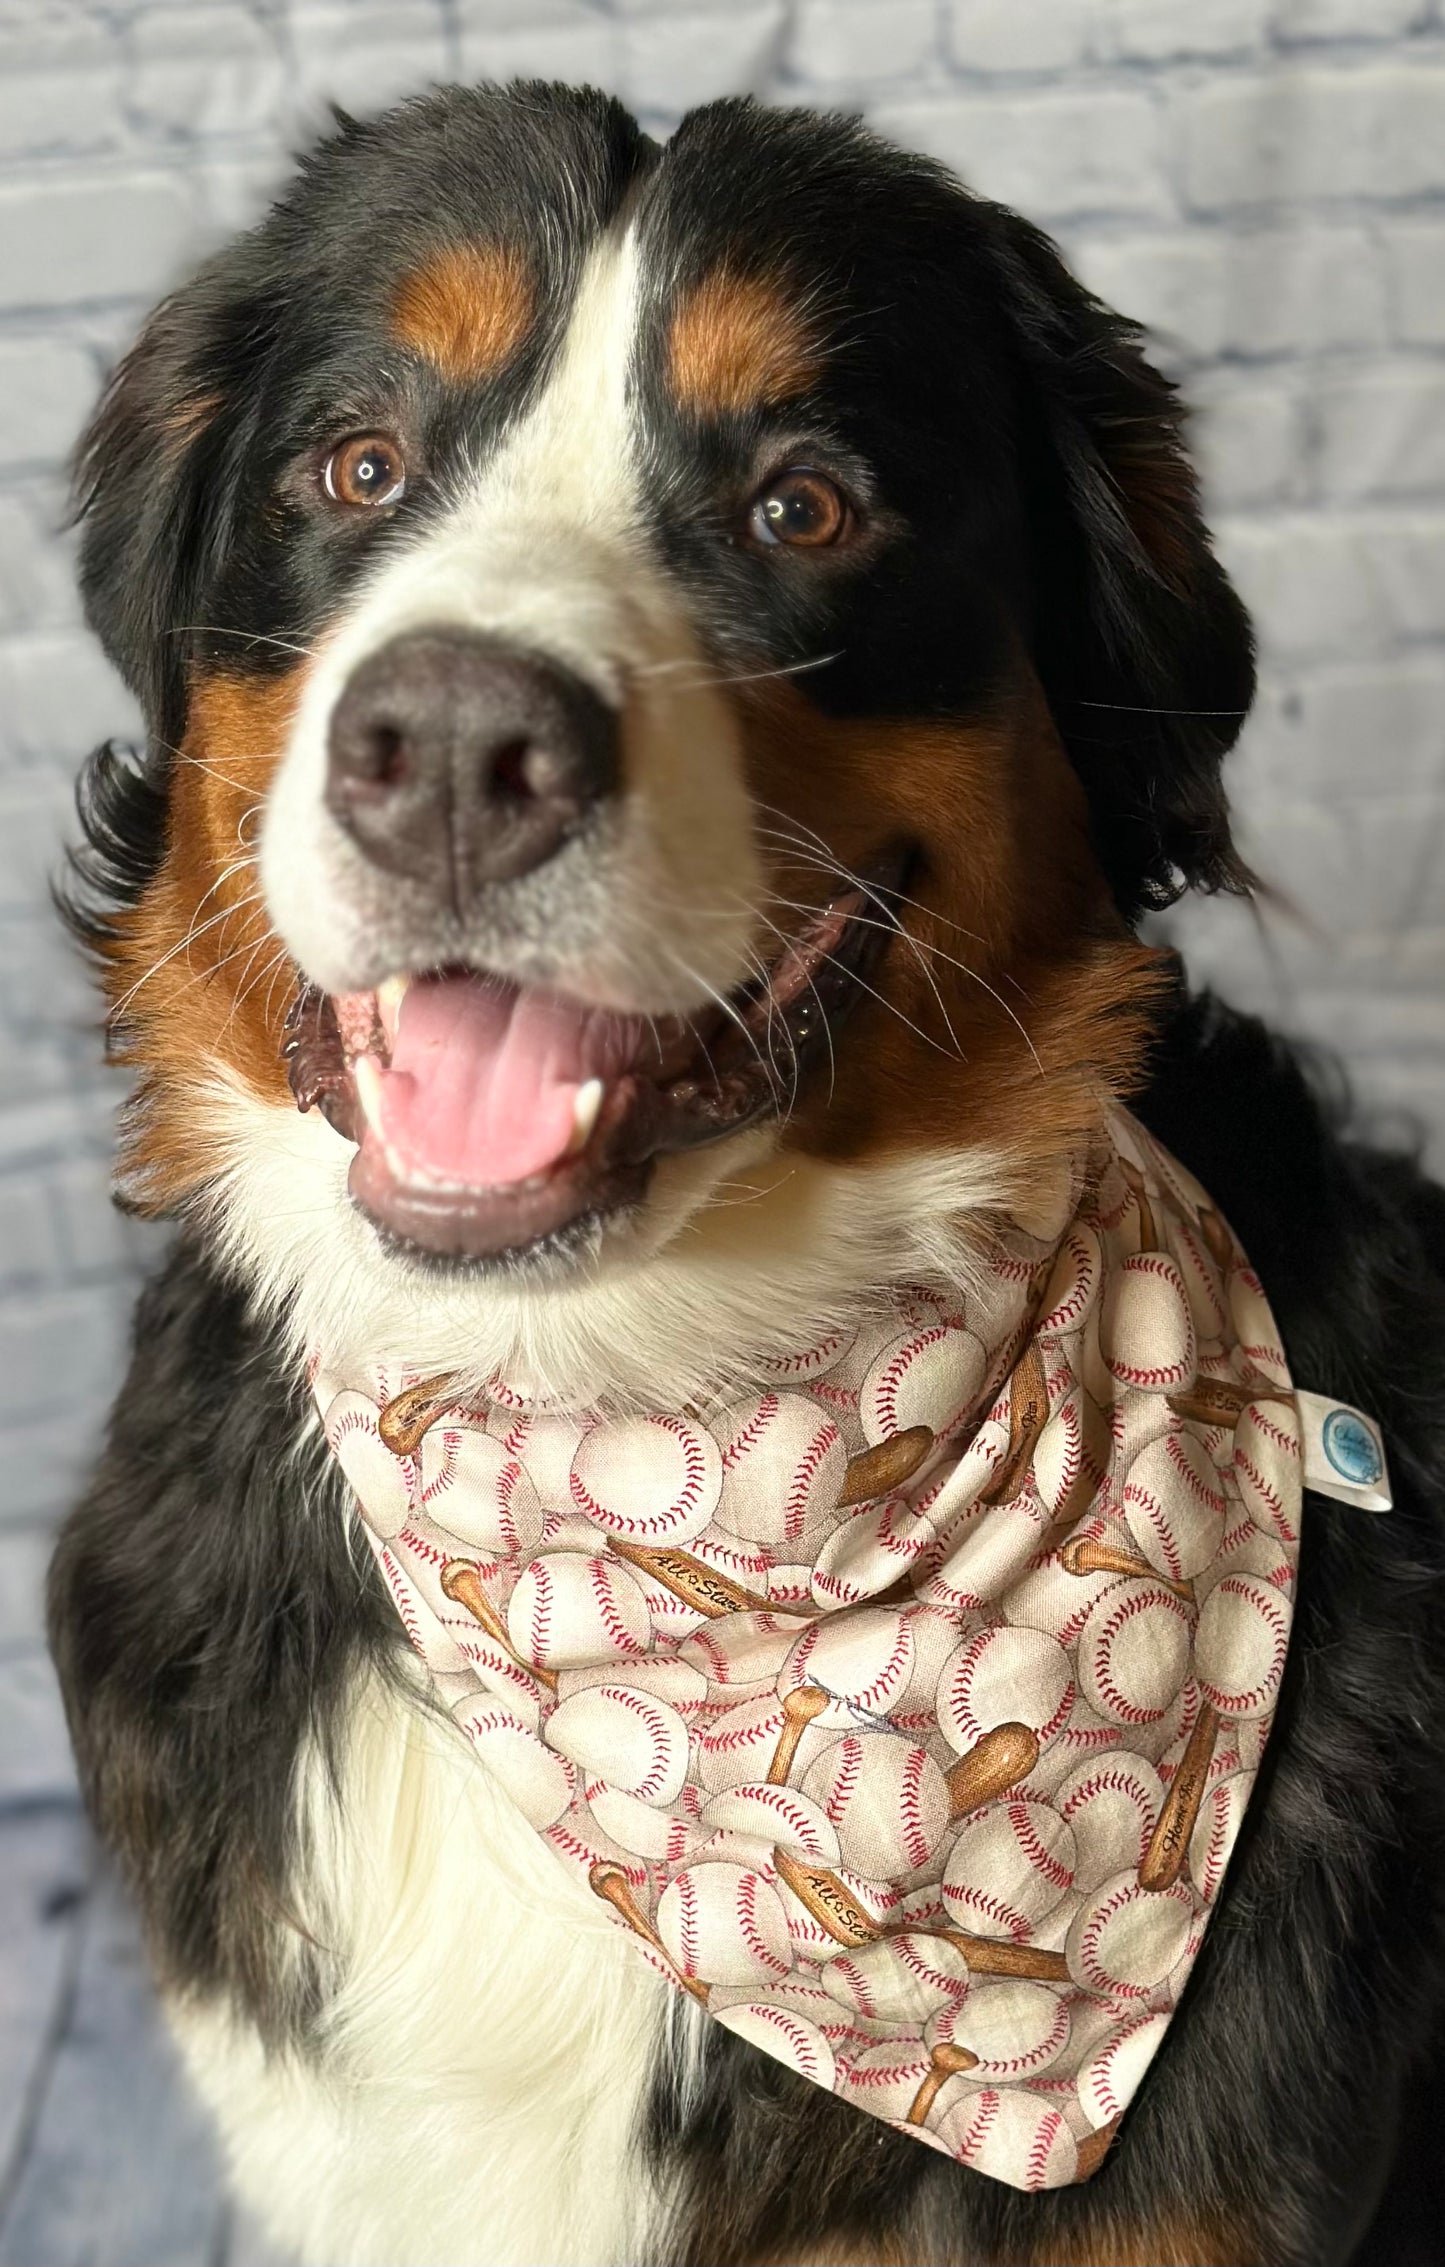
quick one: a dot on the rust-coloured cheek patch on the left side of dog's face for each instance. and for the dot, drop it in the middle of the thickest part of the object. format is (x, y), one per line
(194, 974)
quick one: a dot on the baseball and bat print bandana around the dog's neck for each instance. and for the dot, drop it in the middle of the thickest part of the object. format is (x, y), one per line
(909, 1708)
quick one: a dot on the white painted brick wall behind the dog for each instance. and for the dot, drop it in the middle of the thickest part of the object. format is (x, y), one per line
(1262, 180)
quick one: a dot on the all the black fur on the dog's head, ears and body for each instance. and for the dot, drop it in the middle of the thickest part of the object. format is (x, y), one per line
(208, 1611)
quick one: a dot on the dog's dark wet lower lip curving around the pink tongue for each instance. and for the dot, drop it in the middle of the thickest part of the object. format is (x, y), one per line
(688, 1087)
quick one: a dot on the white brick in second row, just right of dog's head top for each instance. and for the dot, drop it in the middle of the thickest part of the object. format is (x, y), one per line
(1047, 153)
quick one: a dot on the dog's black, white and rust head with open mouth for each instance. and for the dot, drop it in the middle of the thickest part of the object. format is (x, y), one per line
(664, 663)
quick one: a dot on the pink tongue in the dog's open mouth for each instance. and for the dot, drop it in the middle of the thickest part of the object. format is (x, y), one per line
(484, 1078)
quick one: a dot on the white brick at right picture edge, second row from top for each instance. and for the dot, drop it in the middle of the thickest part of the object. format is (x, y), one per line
(1287, 135)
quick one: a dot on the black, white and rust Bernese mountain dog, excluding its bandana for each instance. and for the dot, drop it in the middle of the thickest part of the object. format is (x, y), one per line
(729, 636)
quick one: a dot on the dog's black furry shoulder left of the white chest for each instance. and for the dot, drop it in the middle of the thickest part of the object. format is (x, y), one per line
(208, 1615)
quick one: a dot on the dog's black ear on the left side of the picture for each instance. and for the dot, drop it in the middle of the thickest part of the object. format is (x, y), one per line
(153, 484)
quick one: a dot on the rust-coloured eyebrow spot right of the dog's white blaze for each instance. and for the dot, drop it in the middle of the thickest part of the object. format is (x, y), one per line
(738, 343)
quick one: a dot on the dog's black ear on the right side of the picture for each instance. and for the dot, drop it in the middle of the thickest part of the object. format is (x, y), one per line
(1142, 645)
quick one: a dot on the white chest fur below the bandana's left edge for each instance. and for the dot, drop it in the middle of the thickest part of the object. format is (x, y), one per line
(487, 2057)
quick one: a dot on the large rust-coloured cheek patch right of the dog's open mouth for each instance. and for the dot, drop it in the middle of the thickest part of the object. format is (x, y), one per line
(1017, 992)
